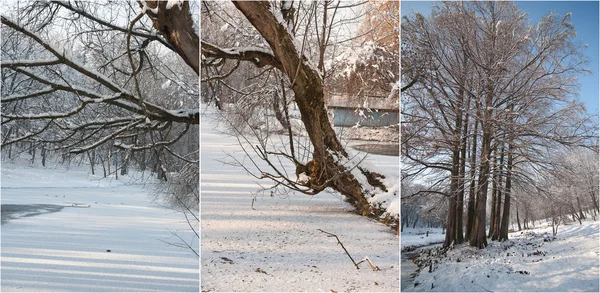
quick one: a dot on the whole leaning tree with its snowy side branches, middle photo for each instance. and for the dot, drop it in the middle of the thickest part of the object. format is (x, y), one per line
(330, 165)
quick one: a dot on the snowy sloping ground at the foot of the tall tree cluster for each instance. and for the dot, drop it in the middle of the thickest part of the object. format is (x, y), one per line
(530, 261)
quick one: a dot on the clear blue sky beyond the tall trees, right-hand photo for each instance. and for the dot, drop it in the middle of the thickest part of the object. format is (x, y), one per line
(584, 18)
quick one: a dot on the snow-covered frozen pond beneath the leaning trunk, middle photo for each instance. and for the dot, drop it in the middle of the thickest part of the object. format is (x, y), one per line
(273, 243)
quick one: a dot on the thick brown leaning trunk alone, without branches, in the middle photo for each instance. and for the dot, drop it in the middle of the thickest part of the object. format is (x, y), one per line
(326, 166)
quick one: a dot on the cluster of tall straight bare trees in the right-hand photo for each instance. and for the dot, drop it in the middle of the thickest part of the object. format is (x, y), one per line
(487, 100)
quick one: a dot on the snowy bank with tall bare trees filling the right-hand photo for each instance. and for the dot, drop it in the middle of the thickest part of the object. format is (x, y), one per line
(499, 154)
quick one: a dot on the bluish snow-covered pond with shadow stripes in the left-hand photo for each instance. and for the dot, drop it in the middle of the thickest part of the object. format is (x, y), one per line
(65, 231)
